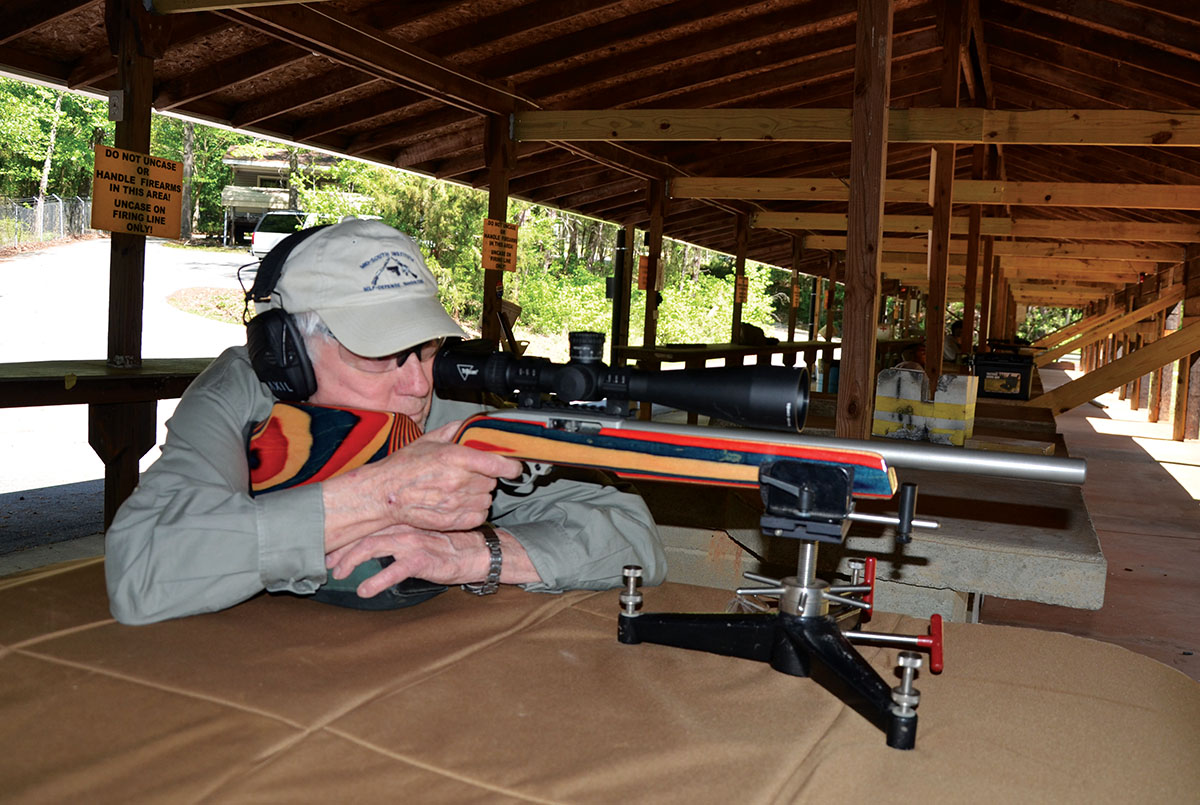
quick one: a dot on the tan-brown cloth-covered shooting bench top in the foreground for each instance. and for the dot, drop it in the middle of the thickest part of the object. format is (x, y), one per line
(519, 698)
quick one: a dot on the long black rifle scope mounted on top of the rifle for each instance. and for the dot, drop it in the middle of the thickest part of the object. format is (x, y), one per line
(773, 398)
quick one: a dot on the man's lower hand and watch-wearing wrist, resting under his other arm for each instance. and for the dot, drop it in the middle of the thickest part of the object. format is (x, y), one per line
(443, 558)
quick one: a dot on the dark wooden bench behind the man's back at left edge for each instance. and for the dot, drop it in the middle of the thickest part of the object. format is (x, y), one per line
(122, 406)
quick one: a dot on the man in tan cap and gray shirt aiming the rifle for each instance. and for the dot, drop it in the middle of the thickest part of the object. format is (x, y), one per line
(191, 538)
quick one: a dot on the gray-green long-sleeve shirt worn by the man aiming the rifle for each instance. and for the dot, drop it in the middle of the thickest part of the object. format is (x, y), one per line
(191, 539)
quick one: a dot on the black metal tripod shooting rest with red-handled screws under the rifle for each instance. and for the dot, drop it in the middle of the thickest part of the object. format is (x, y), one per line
(814, 504)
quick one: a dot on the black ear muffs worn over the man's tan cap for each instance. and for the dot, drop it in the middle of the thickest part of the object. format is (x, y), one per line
(273, 340)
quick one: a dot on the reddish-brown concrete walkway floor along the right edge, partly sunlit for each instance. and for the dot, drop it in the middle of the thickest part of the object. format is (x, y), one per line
(1143, 494)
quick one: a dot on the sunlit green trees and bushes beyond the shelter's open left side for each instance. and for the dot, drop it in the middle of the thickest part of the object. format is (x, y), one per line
(563, 261)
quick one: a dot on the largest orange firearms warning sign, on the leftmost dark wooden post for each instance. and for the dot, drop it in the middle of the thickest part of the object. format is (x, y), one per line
(136, 194)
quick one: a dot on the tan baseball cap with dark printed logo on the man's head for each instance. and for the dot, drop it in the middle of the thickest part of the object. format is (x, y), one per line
(370, 285)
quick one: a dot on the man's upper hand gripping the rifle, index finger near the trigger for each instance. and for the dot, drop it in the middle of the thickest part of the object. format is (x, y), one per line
(430, 484)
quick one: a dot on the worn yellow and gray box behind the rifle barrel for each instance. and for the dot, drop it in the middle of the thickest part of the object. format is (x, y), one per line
(904, 408)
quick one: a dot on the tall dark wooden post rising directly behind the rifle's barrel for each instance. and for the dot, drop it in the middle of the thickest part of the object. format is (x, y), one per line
(865, 227)
